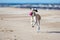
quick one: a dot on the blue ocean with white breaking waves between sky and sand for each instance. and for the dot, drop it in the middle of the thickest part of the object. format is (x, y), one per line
(32, 5)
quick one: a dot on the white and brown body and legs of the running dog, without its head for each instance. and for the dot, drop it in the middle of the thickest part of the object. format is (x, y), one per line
(36, 20)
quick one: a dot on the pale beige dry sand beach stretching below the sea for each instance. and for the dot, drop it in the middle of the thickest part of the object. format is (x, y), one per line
(15, 24)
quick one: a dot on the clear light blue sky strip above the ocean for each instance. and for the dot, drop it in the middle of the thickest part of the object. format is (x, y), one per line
(29, 1)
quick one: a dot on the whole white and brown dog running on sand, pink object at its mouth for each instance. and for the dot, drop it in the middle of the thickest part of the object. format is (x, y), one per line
(35, 19)
